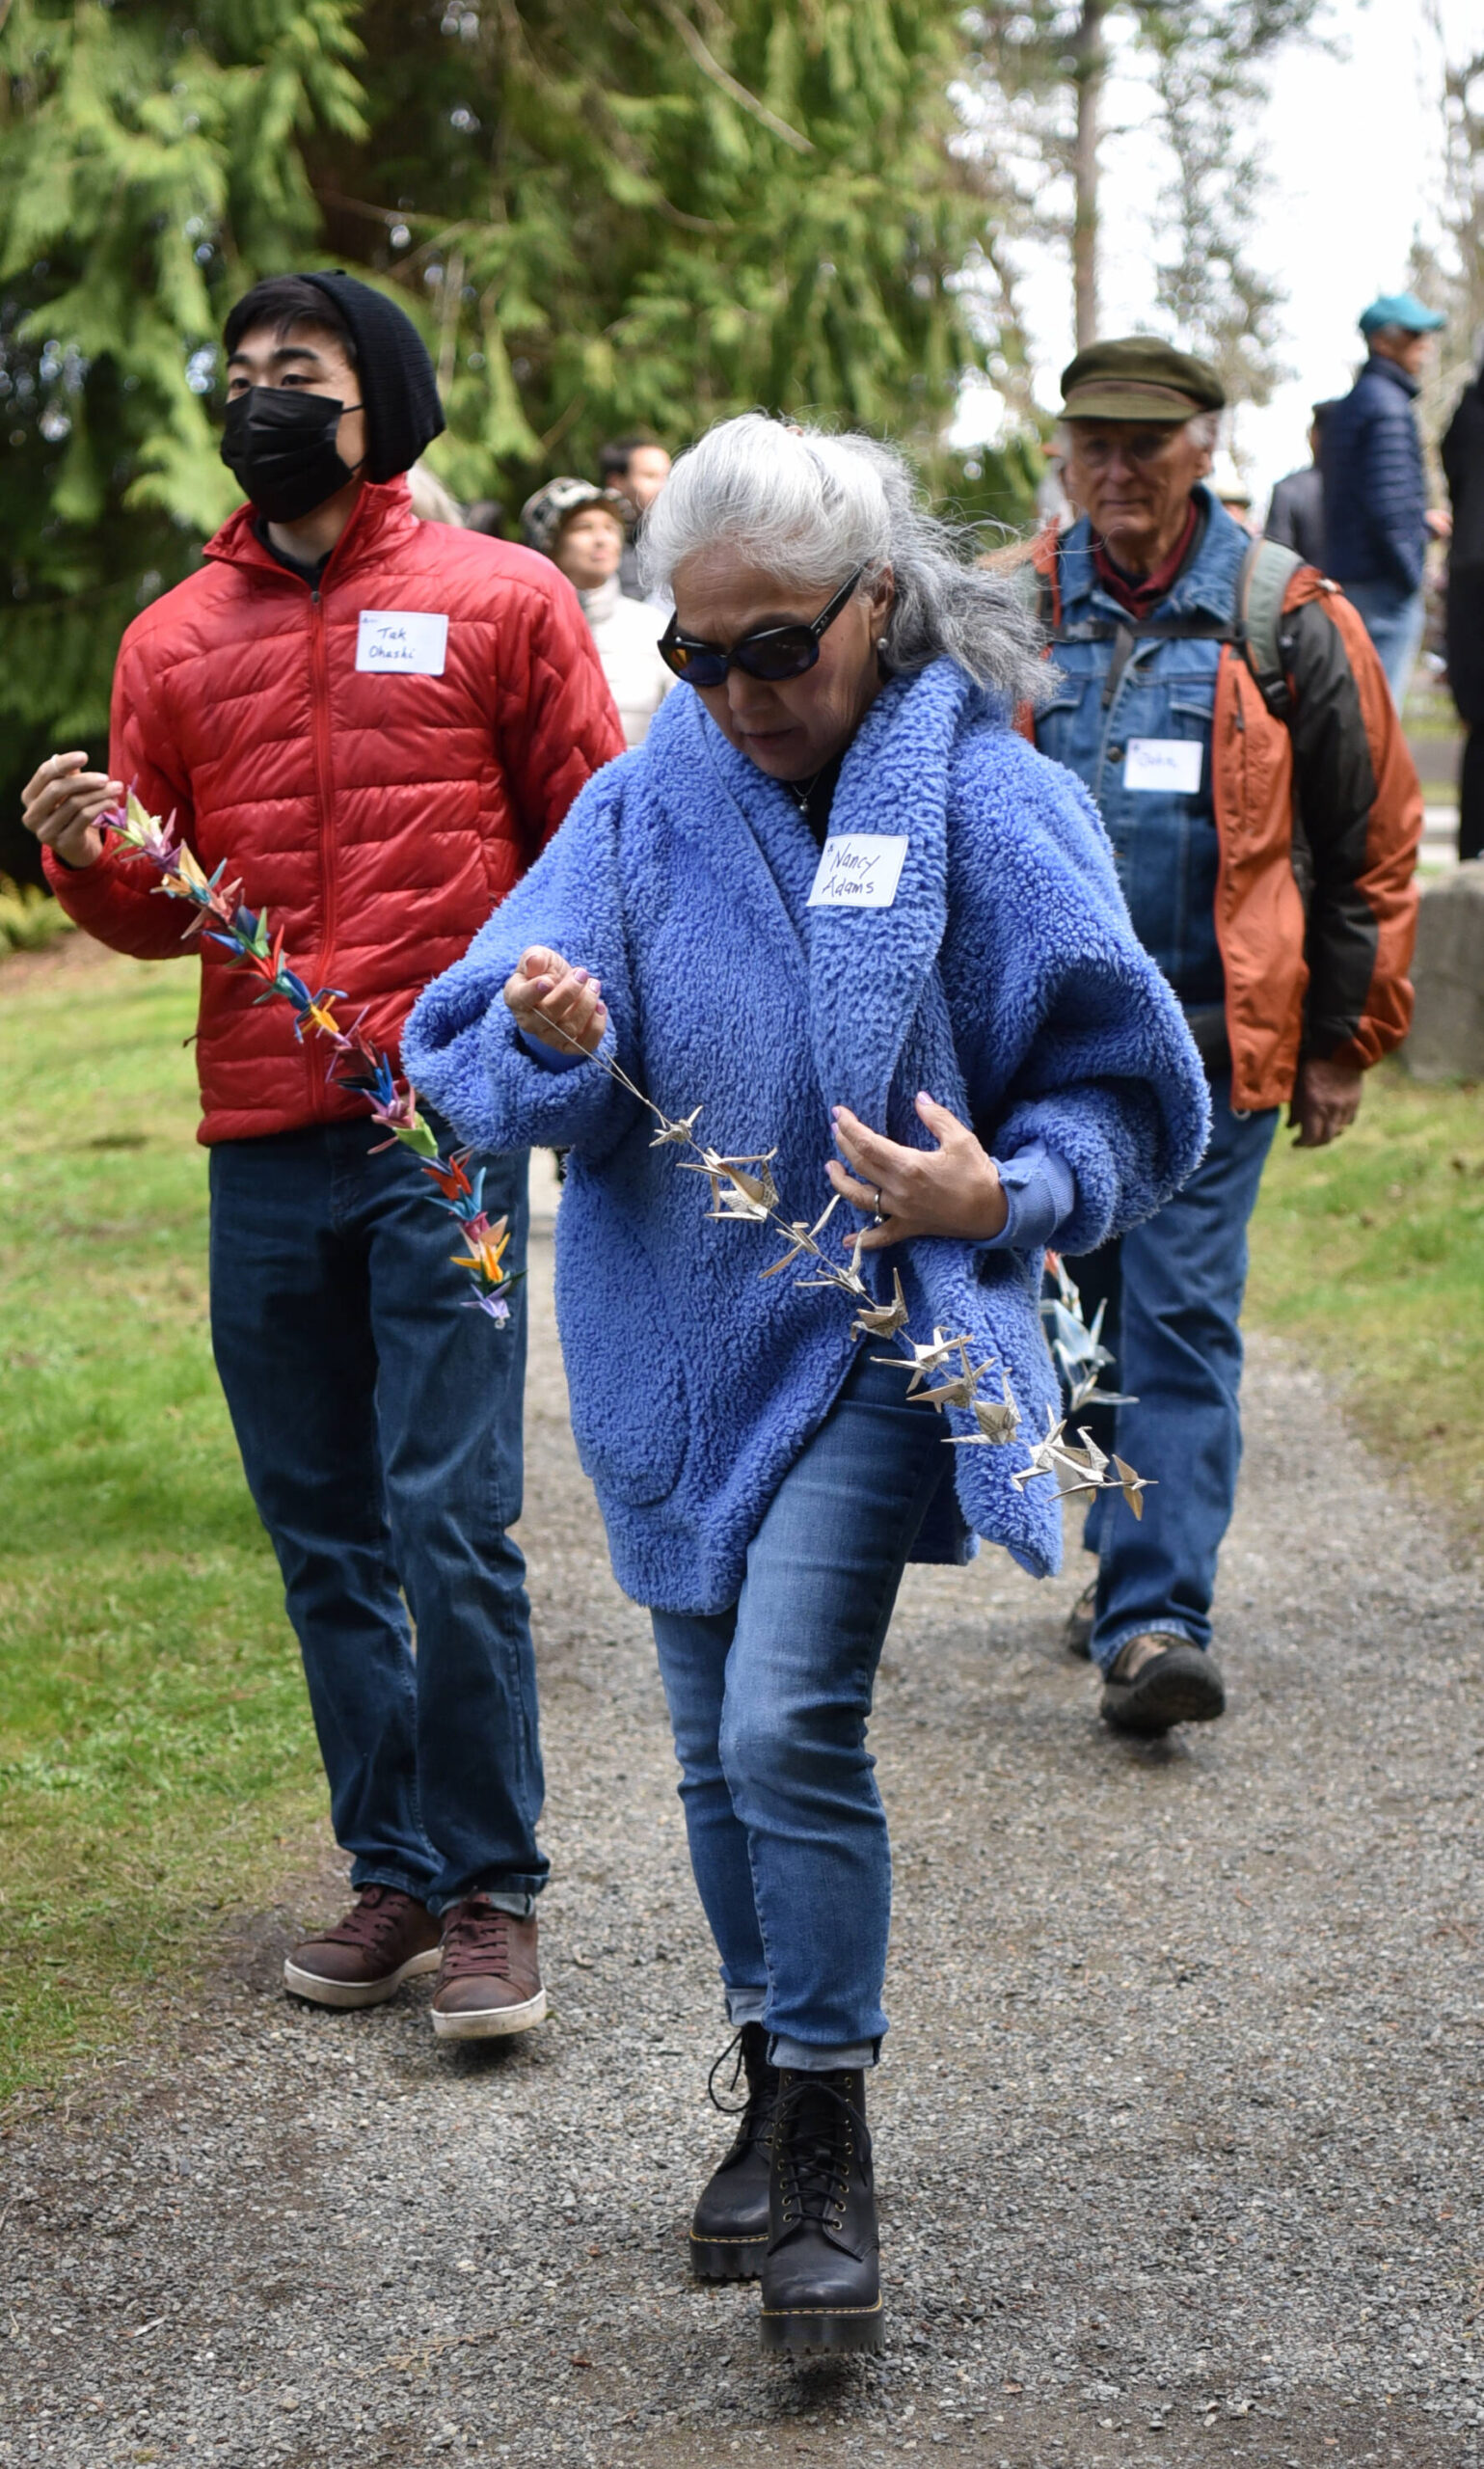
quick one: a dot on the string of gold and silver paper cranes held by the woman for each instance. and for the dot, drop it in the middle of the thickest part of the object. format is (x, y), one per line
(747, 1194)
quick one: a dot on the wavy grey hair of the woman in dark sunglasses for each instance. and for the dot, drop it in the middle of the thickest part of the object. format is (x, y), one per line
(809, 505)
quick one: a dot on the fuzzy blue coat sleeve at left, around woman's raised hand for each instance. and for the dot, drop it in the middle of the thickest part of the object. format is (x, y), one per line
(463, 1048)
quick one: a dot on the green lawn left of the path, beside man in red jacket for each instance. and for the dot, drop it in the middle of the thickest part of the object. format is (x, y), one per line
(154, 1732)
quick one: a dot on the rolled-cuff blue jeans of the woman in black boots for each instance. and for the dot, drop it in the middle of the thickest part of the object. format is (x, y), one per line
(769, 1707)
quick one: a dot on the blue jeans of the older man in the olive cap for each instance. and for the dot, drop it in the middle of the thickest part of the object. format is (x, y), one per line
(1174, 1305)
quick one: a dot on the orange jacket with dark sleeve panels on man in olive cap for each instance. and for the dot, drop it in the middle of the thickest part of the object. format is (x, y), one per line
(1317, 821)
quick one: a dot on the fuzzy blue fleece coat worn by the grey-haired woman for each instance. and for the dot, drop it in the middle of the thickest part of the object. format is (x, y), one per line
(1004, 979)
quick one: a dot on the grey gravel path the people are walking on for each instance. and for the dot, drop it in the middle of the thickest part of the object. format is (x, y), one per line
(1179, 2125)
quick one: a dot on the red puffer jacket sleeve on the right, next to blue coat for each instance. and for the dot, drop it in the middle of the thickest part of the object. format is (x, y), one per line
(557, 722)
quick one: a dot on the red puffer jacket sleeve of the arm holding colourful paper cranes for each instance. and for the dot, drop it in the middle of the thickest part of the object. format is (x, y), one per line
(115, 897)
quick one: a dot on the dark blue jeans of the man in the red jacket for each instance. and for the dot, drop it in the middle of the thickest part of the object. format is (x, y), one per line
(381, 1436)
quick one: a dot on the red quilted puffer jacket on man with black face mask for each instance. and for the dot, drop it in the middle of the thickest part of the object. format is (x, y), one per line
(377, 816)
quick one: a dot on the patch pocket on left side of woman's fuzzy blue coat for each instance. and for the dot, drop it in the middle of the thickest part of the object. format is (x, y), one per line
(626, 1374)
